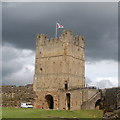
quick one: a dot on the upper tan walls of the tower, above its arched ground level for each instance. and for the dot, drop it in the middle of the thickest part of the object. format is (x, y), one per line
(57, 62)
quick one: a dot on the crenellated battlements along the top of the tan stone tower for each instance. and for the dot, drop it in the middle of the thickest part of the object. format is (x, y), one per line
(66, 37)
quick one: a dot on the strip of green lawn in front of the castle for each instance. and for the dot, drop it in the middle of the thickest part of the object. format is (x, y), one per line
(41, 113)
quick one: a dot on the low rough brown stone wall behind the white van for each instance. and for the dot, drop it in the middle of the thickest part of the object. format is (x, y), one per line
(13, 96)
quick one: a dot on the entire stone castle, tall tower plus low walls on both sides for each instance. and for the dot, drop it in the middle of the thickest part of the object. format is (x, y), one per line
(59, 80)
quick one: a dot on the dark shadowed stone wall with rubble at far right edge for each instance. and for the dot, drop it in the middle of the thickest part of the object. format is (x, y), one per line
(111, 103)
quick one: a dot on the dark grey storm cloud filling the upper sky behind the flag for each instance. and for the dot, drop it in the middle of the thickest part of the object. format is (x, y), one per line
(96, 21)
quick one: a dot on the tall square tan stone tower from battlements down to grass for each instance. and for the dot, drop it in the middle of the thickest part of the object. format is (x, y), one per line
(59, 71)
